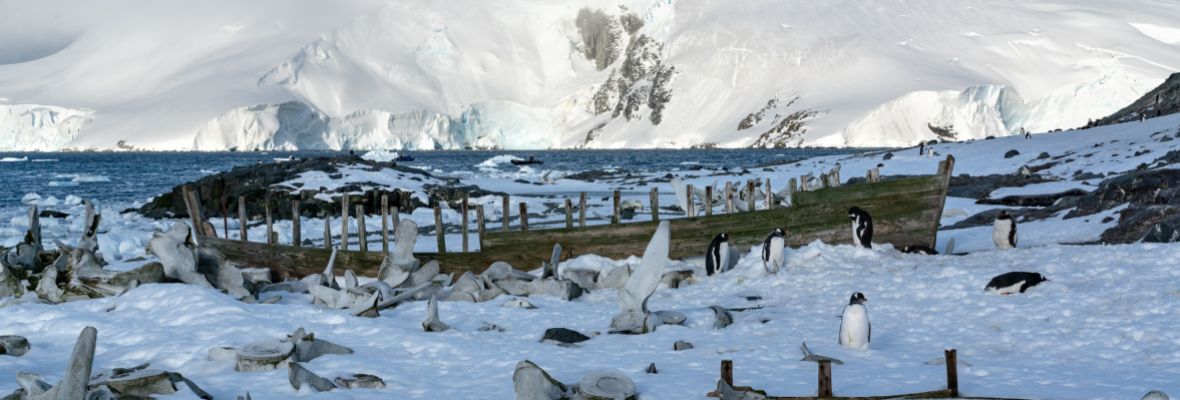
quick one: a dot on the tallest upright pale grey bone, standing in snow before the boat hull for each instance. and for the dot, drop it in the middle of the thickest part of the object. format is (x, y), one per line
(633, 317)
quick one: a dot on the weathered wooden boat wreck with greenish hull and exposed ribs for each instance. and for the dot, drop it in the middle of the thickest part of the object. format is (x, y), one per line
(906, 211)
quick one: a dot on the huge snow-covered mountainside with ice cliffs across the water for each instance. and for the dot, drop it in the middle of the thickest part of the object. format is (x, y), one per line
(417, 74)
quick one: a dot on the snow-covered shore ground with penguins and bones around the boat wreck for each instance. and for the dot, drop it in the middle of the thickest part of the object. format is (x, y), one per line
(1102, 329)
